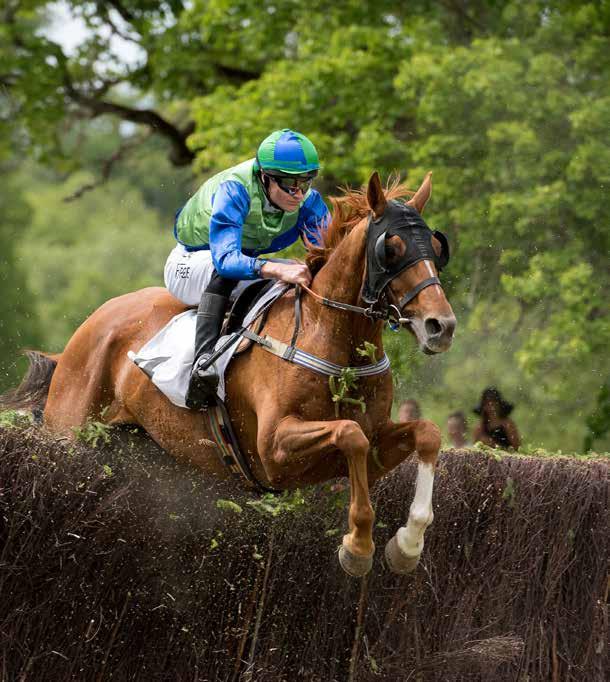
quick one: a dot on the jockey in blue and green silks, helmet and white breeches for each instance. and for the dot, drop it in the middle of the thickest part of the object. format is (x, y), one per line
(259, 206)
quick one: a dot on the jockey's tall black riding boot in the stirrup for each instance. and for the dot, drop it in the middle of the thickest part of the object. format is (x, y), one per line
(203, 383)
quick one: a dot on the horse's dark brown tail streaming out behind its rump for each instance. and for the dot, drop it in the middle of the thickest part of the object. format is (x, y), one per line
(31, 394)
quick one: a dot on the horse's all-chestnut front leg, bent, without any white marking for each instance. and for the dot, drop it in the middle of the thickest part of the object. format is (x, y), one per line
(293, 447)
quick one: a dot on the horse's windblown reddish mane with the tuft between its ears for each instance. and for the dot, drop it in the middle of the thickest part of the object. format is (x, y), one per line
(348, 210)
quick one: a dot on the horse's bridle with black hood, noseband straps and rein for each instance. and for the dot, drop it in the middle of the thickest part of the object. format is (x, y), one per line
(405, 221)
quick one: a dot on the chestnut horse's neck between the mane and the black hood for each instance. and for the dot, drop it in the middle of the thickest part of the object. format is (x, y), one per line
(340, 279)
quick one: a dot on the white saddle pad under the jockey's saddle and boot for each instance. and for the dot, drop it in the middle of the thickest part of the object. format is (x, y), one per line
(168, 357)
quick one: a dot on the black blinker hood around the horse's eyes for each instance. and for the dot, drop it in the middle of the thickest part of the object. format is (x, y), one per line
(406, 222)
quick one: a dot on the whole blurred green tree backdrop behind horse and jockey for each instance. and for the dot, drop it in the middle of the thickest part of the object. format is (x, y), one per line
(508, 103)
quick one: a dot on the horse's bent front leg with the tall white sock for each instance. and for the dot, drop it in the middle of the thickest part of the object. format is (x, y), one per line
(394, 444)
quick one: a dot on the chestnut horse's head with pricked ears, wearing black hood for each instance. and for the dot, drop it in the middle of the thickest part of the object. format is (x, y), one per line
(404, 258)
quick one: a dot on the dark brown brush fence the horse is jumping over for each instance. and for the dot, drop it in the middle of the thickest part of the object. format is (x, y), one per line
(118, 564)
